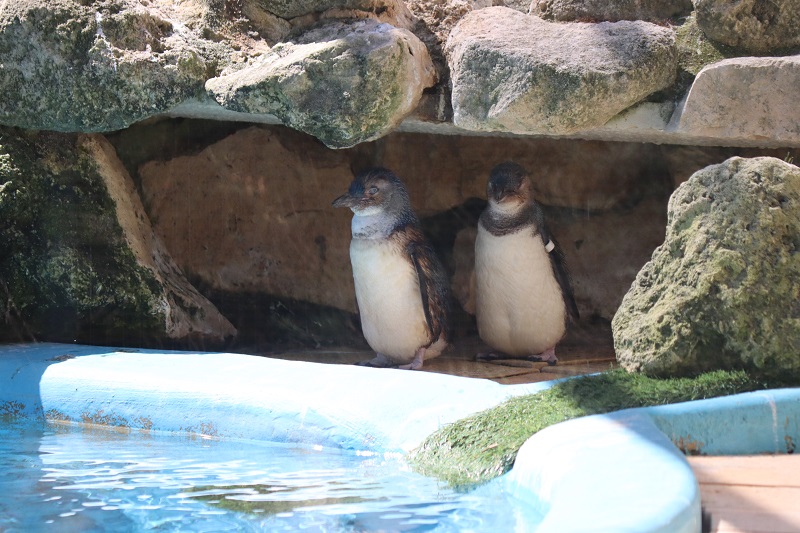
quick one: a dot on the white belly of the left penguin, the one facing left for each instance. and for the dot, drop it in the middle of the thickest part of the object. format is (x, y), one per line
(389, 300)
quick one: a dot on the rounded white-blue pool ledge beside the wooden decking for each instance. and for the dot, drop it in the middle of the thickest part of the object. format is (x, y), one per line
(607, 473)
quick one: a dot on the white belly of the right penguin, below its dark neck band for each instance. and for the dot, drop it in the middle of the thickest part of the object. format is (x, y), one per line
(519, 304)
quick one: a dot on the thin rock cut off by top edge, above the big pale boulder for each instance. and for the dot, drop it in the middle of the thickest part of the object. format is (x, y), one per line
(596, 10)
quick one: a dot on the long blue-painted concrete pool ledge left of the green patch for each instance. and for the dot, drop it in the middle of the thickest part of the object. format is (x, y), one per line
(239, 396)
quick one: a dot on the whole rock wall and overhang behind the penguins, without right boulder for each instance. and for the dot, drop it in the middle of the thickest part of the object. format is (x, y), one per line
(243, 212)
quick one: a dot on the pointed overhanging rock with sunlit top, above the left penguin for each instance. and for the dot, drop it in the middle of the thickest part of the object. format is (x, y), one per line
(343, 82)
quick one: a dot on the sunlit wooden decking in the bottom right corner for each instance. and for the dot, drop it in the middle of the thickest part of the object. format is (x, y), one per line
(753, 494)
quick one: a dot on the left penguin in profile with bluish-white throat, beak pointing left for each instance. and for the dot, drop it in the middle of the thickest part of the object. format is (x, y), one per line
(402, 289)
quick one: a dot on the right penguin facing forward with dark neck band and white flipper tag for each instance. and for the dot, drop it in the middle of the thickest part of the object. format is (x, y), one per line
(524, 299)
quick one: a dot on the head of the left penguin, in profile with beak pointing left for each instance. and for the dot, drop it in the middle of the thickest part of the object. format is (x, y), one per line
(375, 191)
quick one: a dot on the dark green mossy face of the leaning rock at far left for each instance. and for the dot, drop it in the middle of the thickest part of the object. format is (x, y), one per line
(66, 271)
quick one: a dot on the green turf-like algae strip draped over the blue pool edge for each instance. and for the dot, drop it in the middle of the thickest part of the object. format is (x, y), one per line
(483, 446)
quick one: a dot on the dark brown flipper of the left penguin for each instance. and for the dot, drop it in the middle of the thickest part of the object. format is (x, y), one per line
(432, 288)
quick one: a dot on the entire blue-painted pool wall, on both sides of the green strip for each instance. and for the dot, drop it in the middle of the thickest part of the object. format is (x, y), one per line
(616, 472)
